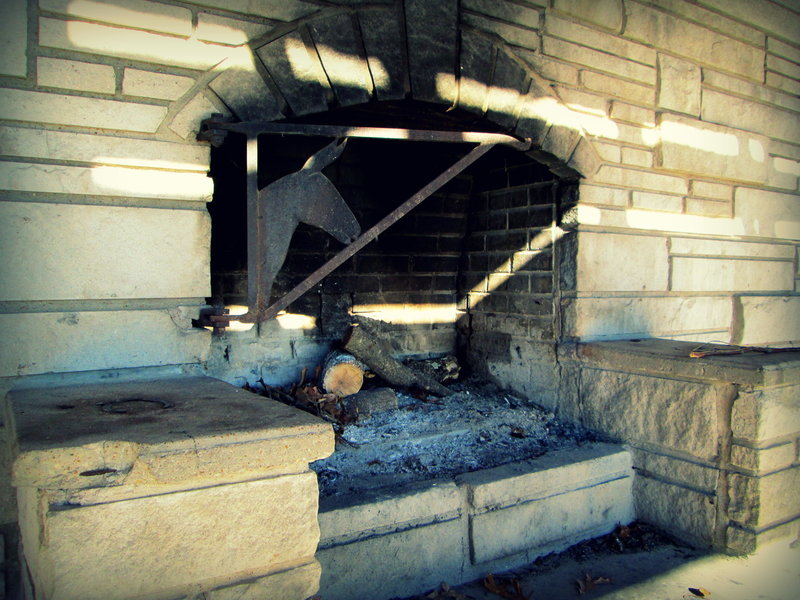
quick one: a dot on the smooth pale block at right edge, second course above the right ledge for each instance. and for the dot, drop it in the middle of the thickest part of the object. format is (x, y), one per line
(721, 274)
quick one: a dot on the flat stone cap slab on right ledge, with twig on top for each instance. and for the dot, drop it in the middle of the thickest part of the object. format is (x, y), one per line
(668, 357)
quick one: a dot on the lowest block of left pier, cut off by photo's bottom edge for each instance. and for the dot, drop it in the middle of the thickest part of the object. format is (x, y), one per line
(294, 584)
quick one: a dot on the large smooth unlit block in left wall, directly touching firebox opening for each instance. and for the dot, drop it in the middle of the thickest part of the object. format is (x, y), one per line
(122, 252)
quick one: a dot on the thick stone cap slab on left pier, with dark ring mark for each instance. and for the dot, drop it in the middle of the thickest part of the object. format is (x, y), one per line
(161, 431)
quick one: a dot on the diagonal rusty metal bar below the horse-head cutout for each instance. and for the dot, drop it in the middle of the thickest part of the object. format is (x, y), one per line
(372, 233)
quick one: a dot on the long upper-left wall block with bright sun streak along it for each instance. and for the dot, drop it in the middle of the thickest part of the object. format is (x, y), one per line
(135, 44)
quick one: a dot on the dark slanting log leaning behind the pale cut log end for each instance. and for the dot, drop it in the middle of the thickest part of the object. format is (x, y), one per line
(376, 354)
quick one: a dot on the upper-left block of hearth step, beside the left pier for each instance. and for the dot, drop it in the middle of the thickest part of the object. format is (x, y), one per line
(342, 522)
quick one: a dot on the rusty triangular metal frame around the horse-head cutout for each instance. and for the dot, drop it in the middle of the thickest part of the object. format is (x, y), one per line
(259, 289)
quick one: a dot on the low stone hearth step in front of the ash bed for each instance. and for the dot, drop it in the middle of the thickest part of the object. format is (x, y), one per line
(460, 528)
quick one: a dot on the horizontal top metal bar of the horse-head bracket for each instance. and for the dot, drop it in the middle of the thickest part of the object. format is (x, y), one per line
(252, 128)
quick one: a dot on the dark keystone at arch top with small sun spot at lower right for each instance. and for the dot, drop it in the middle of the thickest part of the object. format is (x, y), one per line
(432, 30)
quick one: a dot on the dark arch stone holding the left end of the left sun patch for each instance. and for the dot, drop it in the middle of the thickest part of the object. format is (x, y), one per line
(298, 73)
